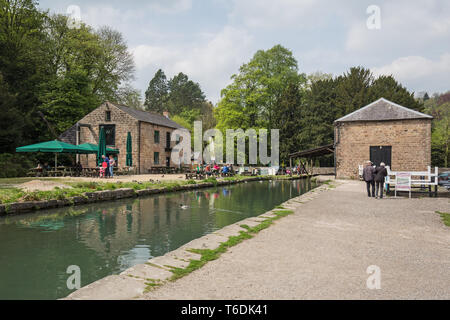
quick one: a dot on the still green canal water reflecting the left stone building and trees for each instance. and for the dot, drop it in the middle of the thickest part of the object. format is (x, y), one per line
(108, 237)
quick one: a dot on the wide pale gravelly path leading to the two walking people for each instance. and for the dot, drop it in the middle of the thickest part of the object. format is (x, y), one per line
(324, 249)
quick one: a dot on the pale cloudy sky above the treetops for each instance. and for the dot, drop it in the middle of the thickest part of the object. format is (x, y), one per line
(210, 39)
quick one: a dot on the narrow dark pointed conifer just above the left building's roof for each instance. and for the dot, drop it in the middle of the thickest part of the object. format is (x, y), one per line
(157, 93)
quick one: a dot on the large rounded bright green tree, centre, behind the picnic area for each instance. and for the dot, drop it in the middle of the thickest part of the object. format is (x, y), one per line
(252, 99)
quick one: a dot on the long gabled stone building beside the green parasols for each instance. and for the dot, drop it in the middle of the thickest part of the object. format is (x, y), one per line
(150, 133)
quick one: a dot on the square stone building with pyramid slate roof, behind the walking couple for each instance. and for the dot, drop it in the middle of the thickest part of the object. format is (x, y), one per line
(382, 131)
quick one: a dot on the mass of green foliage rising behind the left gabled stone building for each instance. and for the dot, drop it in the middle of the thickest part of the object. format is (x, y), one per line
(50, 70)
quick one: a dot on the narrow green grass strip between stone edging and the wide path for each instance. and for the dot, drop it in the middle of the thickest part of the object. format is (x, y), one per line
(212, 254)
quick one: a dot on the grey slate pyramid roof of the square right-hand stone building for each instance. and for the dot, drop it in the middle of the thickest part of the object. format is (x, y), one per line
(382, 110)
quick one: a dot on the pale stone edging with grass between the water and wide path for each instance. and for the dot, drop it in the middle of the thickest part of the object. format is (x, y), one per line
(134, 282)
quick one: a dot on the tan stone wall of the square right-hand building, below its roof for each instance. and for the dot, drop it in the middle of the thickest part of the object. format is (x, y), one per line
(410, 141)
